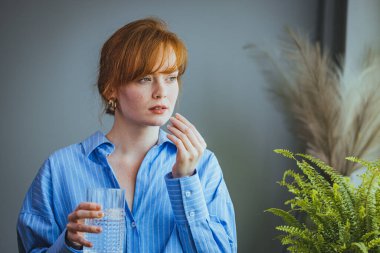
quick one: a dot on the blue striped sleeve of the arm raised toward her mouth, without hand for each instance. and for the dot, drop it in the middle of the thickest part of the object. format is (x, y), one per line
(203, 210)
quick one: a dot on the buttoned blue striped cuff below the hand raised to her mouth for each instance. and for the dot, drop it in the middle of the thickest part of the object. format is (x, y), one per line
(186, 197)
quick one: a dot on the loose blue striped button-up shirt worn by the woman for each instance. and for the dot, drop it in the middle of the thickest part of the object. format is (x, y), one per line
(190, 214)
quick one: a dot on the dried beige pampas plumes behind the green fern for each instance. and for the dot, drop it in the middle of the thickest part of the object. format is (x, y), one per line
(335, 116)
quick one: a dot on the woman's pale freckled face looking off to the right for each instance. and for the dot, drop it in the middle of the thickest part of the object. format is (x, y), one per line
(149, 101)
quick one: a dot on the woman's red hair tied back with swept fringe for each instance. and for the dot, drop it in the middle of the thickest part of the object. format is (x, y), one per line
(132, 53)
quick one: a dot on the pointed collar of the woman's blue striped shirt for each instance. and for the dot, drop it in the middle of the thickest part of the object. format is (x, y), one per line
(99, 140)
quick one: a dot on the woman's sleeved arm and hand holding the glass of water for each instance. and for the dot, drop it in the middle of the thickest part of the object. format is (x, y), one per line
(37, 229)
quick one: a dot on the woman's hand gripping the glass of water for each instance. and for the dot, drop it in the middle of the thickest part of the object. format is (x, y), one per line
(76, 226)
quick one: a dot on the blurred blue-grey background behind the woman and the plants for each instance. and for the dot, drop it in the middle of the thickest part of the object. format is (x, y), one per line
(49, 53)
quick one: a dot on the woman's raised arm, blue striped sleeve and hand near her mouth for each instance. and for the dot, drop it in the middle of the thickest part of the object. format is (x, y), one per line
(200, 200)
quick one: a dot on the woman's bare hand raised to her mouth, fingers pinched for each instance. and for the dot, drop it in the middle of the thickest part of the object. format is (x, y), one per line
(190, 145)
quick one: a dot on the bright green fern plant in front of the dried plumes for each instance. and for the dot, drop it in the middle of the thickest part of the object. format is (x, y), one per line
(339, 217)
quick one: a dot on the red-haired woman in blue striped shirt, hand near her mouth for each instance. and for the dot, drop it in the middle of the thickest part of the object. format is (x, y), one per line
(177, 200)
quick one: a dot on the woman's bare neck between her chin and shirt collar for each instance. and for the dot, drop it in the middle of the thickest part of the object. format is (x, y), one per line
(131, 139)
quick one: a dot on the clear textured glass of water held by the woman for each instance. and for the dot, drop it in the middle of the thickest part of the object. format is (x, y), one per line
(112, 237)
